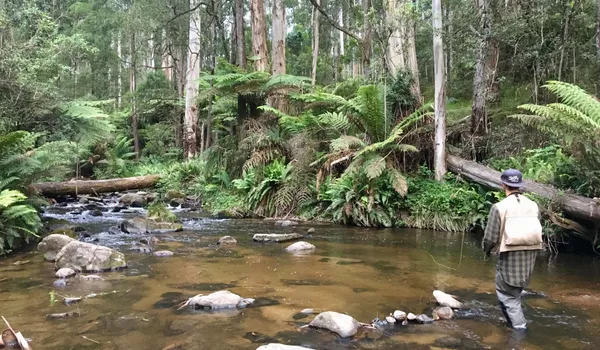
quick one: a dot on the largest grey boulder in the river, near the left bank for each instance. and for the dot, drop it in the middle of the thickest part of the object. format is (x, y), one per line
(81, 256)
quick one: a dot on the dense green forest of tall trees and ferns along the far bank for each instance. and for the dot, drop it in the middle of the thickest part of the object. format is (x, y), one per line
(325, 109)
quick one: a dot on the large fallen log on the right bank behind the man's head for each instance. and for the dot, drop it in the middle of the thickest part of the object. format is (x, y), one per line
(575, 206)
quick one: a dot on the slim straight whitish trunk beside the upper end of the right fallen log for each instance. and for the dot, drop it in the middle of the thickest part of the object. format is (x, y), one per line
(440, 92)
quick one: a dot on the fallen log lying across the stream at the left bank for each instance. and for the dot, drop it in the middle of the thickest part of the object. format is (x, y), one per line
(77, 187)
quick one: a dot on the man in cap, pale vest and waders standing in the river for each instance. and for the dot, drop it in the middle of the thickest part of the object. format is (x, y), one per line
(514, 233)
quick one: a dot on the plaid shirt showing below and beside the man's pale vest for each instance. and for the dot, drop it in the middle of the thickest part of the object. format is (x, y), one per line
(515, 267)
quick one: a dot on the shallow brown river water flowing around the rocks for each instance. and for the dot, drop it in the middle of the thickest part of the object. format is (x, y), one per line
(365, 273)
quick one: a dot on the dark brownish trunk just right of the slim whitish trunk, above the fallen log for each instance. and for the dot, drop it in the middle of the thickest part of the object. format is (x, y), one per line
(479, 117)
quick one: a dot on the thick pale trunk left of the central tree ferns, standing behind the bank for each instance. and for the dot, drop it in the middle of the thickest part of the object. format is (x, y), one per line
(190, 121)
